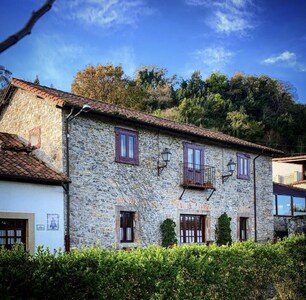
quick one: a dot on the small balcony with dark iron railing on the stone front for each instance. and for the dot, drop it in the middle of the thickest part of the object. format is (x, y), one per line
(198, 176)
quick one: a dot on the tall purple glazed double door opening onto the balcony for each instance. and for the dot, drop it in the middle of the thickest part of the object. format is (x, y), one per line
(193, 164)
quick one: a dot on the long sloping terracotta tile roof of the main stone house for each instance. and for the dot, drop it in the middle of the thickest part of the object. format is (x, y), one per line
(65, 99)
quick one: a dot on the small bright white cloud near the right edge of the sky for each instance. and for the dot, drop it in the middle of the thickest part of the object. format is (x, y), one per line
(288, 59)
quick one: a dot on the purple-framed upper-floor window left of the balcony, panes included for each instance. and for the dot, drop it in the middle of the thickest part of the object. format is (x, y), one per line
(127, 146)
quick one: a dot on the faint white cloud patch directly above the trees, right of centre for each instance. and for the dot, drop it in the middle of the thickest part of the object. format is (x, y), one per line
(213, 57)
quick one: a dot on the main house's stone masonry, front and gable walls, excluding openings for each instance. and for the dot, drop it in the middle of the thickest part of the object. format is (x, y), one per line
(101, 187)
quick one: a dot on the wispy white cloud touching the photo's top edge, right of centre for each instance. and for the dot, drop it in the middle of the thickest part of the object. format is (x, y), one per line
(228, 16)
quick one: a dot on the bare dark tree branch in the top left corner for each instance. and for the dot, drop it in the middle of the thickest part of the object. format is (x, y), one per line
(36, 15)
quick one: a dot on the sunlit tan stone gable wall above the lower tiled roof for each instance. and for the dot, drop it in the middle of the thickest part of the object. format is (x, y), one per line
(26, 112)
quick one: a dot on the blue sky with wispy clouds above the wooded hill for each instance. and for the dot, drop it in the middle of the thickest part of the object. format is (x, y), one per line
(251, 36)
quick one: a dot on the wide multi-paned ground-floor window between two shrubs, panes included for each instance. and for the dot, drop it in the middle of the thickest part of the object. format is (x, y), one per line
(192, 229)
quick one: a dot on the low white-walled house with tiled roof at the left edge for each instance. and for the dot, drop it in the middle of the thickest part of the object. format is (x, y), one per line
(31, 198)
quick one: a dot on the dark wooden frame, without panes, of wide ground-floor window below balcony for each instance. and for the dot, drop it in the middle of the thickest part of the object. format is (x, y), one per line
(184, 239)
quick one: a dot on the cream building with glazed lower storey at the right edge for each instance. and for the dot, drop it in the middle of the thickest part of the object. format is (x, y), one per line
(289, 195)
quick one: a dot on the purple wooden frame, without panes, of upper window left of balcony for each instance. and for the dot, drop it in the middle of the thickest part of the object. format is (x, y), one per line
(119, 132)
